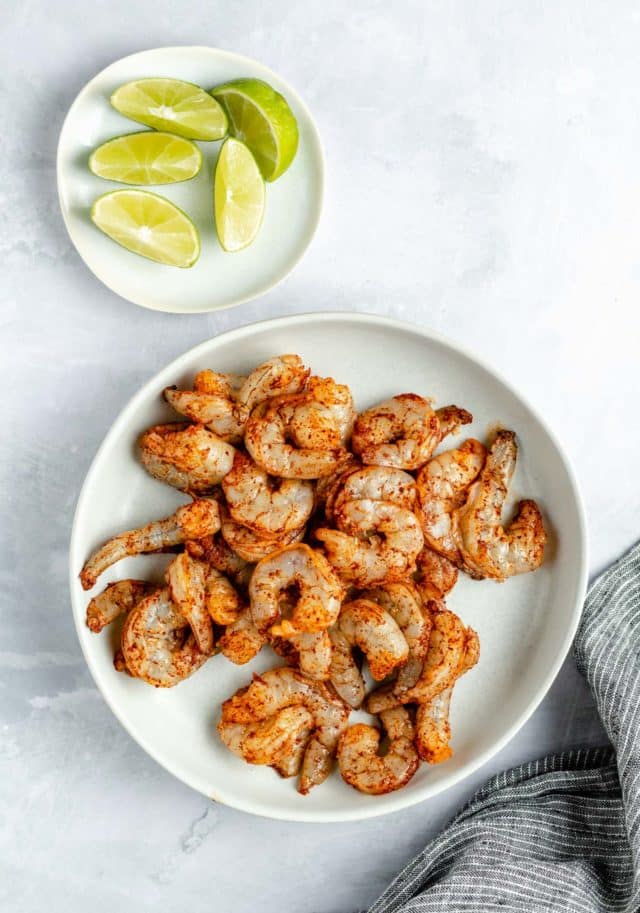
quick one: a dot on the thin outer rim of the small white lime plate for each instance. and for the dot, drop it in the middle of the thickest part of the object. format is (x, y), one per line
(144, 301)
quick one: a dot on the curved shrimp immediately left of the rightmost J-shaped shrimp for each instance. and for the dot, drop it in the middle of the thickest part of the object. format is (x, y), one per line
(442, 487)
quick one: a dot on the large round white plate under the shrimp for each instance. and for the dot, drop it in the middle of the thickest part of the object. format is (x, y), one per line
(526, 625)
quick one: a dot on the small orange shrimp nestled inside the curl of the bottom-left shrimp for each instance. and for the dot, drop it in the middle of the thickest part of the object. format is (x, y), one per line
(278, 741)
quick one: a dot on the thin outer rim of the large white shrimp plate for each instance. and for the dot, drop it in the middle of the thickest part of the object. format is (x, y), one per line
(317, 816)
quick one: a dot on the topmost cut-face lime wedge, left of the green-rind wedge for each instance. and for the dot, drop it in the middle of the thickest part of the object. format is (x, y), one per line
(172, 105)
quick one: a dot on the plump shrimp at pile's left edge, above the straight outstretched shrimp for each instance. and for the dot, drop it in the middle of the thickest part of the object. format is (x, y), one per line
(188, 457)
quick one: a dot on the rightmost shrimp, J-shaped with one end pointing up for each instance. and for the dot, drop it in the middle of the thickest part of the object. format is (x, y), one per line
(488, 548)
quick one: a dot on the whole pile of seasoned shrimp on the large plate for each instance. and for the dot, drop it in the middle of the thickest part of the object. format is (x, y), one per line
(332, 539)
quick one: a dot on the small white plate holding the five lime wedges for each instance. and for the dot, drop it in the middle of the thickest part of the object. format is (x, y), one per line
(218, 279)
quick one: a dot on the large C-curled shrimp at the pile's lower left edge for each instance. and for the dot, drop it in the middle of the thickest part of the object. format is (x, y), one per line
(157, 644)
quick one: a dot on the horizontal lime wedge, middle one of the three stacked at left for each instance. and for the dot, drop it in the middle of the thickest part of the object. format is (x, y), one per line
(146, 158)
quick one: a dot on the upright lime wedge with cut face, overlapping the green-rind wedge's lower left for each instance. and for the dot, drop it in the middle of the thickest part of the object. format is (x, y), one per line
(238, 196)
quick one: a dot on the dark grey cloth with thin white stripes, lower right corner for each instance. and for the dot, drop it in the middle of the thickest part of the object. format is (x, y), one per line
(561, 833)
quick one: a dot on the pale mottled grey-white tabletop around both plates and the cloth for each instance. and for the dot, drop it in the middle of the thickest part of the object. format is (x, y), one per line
(483, 180)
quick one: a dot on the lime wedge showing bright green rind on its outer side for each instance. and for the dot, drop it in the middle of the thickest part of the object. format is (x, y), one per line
(261, 118)
